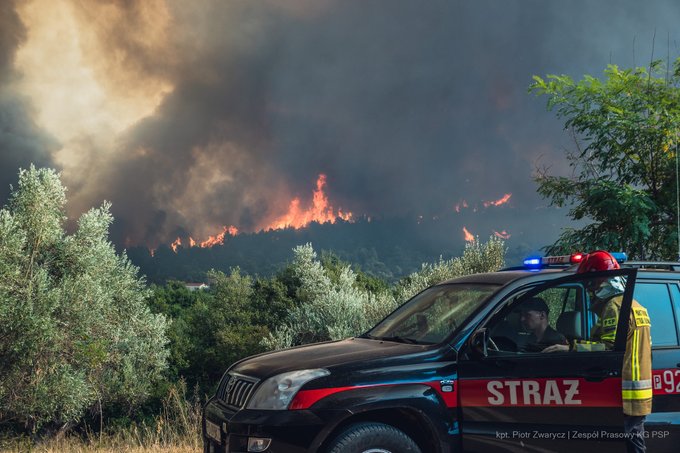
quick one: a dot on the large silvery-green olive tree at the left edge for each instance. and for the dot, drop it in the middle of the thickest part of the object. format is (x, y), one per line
(75, 331)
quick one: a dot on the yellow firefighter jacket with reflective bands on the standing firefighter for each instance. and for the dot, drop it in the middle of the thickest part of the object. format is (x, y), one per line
(636, 375)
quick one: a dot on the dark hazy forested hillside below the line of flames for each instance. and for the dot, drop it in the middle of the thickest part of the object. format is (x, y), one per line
(388, 249)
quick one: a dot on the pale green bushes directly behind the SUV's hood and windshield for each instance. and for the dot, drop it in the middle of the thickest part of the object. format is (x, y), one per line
(334, 303)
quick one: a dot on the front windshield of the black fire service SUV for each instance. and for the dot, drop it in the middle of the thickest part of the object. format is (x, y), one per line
(432, 315)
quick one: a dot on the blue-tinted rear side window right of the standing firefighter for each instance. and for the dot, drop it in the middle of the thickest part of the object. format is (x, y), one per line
(655, 297)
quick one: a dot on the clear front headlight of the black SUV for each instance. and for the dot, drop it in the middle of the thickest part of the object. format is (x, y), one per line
(277, 392)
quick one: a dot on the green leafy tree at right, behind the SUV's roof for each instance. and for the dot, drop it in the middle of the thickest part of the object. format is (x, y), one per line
(627, 130)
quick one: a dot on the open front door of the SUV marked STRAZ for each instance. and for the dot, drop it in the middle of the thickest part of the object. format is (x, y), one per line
(514, 399)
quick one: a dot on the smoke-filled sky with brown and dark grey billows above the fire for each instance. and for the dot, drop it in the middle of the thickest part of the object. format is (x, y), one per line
(189, 116)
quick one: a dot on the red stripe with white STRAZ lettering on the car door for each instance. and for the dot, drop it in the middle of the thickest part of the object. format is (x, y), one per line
(558, 392)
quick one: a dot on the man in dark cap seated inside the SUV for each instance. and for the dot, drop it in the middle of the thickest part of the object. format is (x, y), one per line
(534, 319)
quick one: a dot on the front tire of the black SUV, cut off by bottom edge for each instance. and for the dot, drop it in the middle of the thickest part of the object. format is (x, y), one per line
(372, 438)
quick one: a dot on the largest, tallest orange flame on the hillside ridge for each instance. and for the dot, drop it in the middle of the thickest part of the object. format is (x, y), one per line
(321, 211)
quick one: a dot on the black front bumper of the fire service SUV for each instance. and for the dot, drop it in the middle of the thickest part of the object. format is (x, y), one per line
(294, 431)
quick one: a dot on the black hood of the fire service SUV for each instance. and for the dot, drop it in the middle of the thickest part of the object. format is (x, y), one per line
(332, 354)
